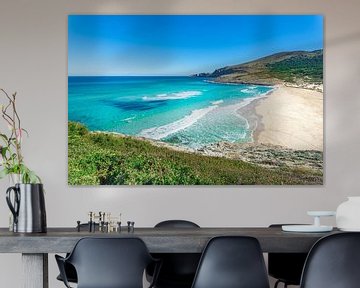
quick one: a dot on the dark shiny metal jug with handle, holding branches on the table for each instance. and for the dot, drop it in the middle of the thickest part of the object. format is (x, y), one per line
(28, 208)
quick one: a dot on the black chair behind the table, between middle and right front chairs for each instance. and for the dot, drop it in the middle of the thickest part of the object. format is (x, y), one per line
(286, 267)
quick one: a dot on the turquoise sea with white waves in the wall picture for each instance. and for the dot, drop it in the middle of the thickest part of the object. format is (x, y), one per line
(185, 111)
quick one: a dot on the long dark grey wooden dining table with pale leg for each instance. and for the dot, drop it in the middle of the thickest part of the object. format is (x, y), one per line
(35, 247)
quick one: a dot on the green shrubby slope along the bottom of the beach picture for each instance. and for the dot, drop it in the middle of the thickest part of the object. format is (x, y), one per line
(109, 159)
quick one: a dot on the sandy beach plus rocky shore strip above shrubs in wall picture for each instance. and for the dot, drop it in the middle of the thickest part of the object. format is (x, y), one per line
(270, 143)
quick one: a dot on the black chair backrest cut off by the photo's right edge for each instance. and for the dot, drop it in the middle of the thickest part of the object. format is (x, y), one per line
(333, 262)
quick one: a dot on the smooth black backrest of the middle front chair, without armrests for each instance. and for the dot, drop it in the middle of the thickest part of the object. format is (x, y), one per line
(232, 262)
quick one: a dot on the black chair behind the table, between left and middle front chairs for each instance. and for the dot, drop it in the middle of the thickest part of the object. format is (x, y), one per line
(178, 269)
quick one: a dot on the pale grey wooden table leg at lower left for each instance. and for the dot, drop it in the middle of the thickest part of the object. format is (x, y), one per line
(35, 270)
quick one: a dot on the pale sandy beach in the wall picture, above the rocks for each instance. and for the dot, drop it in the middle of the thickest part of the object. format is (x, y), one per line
(292, 118)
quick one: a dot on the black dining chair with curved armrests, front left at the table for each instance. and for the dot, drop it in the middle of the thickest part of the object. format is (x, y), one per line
(108, 263)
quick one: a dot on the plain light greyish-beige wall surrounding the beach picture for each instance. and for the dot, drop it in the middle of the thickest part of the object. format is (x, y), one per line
(33, 62)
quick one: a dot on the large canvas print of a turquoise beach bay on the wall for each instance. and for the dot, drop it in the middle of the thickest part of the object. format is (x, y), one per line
(195, 100)
